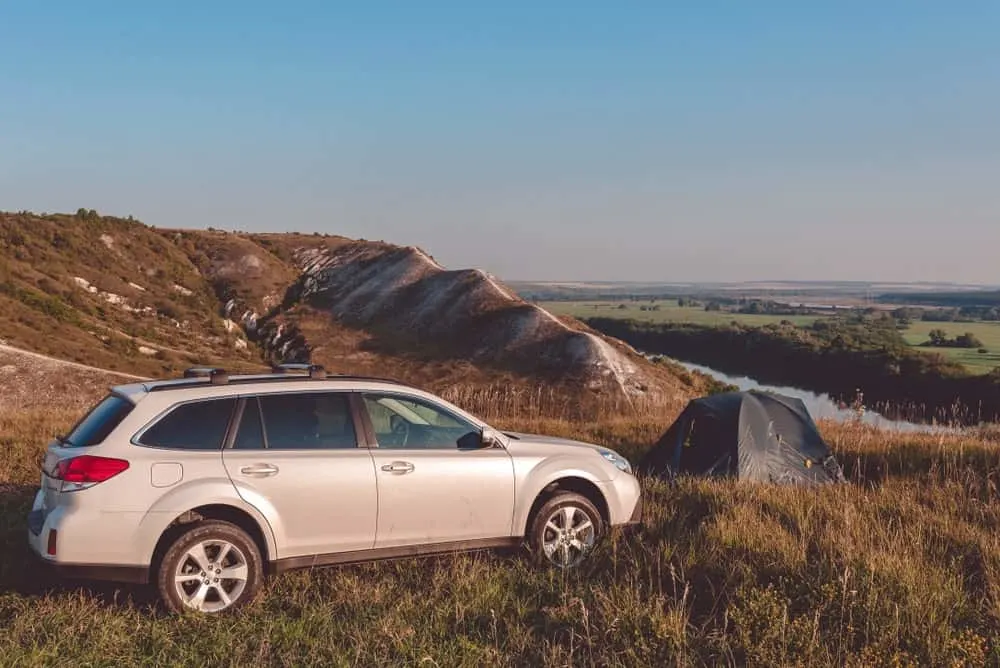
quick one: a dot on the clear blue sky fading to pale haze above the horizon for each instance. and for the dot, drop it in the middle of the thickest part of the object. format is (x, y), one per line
(576, 140)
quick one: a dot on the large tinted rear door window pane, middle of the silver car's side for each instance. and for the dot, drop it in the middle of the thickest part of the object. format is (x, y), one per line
(308, 421)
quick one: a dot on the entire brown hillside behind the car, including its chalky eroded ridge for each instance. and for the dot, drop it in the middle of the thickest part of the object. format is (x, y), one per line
(120, 295)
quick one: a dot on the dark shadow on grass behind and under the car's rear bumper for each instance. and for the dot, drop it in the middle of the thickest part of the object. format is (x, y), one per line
(23, 574)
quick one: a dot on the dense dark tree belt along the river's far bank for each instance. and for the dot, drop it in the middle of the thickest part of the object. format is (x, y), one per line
(837, 356)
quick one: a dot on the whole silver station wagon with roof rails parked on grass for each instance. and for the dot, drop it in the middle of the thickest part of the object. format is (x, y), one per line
(203, 484)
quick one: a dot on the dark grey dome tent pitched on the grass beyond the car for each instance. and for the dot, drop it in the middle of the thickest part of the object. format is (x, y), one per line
(750, 435)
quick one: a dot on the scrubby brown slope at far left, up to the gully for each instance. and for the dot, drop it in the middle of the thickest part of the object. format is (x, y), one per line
(109, 292)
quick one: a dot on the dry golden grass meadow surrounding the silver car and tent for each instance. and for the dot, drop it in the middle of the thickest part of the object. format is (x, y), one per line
(899, 567)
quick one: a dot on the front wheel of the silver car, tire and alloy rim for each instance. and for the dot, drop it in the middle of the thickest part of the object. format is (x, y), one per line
(565, 530)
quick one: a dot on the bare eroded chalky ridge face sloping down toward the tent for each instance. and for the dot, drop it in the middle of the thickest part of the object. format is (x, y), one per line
(413, 304)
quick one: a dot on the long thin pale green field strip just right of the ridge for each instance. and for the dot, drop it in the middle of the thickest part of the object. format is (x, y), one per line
(668, 311)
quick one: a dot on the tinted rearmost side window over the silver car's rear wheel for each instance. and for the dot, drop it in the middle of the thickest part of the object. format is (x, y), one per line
(198, 425)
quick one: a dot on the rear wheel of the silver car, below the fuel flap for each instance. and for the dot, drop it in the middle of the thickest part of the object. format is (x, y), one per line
(193, 573)
